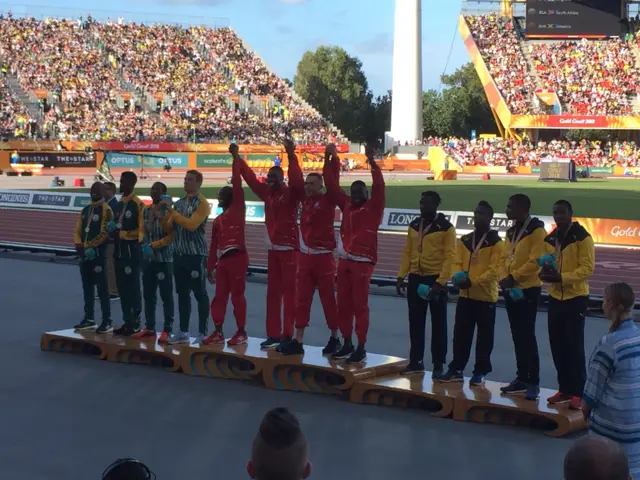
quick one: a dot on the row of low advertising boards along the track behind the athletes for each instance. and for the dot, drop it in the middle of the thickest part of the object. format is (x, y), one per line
(605, 232)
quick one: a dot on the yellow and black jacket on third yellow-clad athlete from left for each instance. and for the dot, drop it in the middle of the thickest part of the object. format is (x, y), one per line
(521, 262)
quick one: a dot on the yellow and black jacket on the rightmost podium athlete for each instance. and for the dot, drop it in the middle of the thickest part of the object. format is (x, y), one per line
(575, 260)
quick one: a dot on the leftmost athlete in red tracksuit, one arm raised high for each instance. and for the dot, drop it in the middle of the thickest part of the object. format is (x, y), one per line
(228, 260)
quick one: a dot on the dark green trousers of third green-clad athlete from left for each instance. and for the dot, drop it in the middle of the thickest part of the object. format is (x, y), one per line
(158, 275)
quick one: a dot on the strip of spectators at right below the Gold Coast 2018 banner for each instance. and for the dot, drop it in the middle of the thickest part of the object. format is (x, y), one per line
(511, 153)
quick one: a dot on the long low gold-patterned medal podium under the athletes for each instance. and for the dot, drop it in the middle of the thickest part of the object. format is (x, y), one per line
(374, 382)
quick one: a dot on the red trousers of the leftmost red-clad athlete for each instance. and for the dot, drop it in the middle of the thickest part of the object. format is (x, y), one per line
(231, 279)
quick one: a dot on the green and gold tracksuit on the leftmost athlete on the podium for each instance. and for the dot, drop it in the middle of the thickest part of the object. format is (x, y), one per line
(91, 232)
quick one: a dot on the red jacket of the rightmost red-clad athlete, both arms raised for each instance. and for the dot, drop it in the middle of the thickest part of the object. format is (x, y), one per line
(359, 229)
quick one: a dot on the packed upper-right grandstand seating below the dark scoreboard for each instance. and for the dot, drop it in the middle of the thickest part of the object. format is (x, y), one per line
(590, 77)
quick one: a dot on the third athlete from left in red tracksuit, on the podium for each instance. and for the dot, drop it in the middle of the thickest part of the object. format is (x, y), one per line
(316, 264)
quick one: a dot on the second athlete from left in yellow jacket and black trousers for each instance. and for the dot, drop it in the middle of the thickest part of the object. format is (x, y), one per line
(478, 254)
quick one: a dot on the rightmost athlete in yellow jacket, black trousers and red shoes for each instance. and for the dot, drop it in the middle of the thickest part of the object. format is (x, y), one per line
(574, 252)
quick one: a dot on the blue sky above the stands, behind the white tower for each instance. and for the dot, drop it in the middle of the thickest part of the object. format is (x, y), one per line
(282, 30)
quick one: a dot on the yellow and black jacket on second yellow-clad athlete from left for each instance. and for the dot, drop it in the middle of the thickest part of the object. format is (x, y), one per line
(484, 272)
